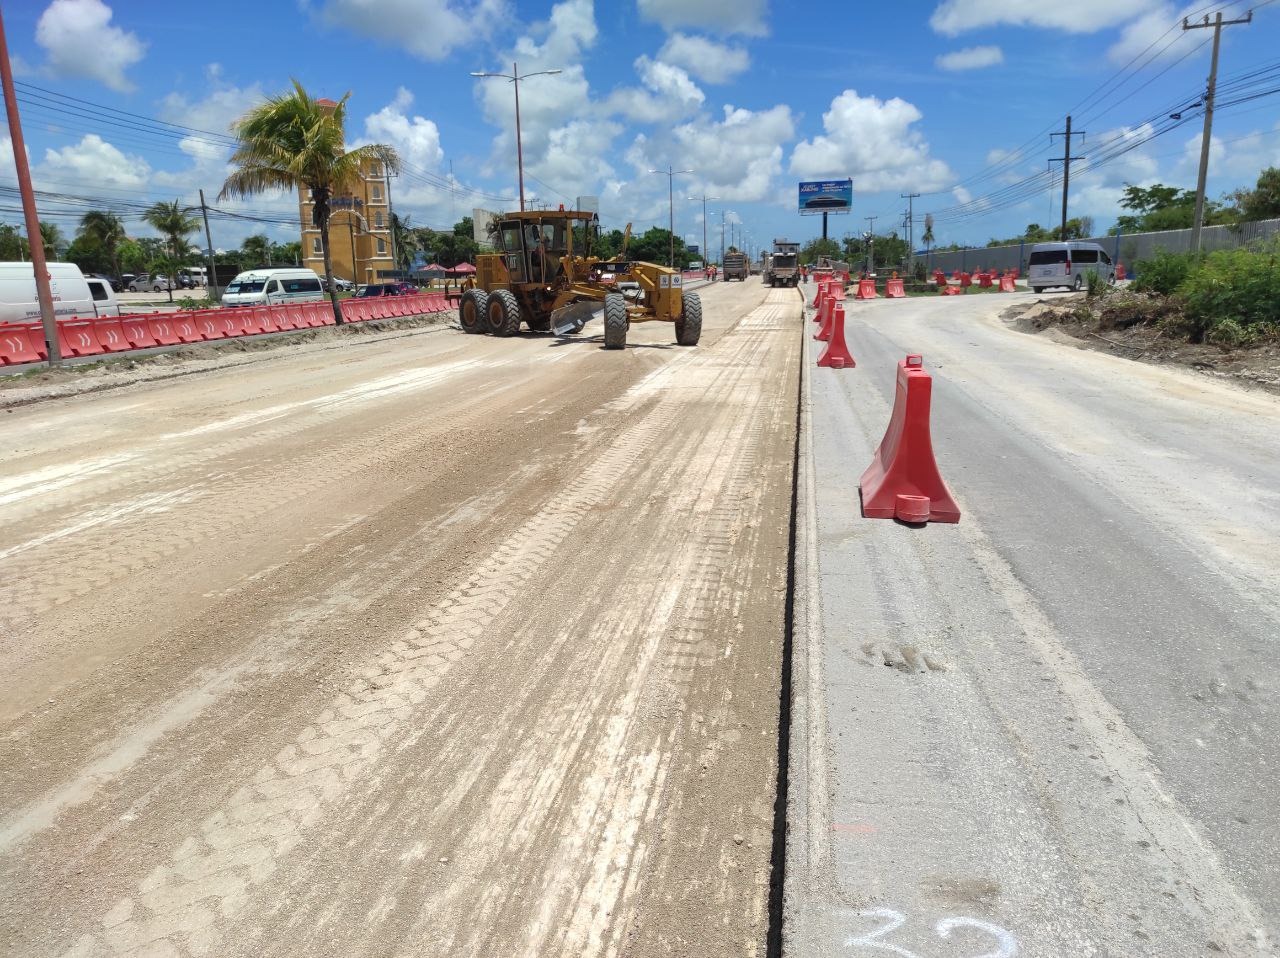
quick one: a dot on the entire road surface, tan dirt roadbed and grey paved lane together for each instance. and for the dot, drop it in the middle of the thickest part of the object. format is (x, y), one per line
(422, 644)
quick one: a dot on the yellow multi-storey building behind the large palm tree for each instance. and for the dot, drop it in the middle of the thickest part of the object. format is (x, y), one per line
(360, 229)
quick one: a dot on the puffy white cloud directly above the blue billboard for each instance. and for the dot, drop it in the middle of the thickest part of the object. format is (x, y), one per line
(875, 143)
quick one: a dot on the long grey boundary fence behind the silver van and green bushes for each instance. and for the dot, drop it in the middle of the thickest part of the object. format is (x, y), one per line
(1127, 249)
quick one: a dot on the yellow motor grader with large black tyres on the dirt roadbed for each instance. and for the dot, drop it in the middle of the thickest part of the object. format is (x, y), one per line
(545, 276)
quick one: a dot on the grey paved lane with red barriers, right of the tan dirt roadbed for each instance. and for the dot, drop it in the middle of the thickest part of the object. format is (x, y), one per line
(1052, 729)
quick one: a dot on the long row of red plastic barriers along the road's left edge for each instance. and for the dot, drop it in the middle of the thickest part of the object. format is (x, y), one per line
(25, 343)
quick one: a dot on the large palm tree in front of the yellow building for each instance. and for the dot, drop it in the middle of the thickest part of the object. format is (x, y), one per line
(296, 143)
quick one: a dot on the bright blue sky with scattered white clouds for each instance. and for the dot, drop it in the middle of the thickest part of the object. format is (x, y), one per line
(953, 99)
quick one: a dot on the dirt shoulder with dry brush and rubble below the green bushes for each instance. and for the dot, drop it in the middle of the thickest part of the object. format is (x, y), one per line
(1128, 325)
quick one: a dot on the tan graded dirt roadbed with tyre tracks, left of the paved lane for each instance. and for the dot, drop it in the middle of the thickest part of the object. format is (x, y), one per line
(445, 646)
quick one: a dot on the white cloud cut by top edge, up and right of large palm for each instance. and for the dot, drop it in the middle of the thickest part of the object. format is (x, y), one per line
(427, 29)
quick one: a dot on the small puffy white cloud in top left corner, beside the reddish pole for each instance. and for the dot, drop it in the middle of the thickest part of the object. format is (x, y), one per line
(80, 42)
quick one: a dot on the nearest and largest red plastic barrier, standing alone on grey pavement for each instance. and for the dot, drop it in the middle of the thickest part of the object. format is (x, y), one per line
(903, 481)
